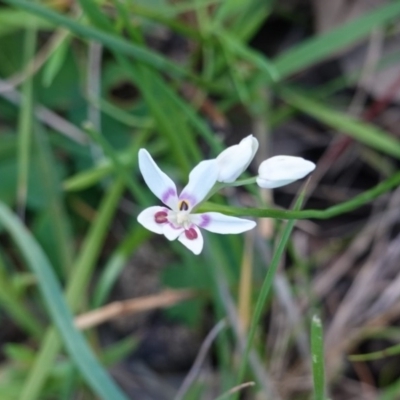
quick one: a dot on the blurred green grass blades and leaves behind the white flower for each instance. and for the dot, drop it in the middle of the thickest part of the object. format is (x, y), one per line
(68, 218)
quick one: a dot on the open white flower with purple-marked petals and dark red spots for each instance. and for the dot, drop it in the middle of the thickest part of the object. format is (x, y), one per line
(177, 221)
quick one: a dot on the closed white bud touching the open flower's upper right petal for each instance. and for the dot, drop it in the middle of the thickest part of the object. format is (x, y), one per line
(234, 160)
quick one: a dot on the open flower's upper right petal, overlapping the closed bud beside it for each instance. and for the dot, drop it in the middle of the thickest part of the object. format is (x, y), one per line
(201, 180)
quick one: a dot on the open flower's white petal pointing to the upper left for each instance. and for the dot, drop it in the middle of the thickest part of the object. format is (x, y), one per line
(157, 181)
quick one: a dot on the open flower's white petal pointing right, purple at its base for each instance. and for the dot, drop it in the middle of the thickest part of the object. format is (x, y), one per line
(221, 223)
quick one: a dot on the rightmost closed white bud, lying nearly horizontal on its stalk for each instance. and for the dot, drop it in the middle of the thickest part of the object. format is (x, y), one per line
(281, 170)
